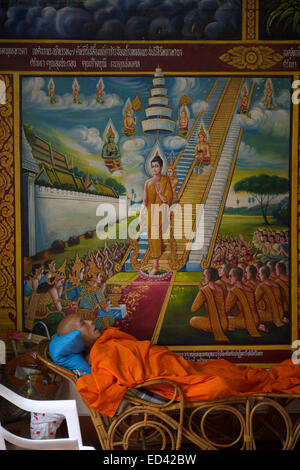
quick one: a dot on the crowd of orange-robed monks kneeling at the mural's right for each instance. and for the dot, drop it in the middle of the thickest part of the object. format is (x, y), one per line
(247, 287)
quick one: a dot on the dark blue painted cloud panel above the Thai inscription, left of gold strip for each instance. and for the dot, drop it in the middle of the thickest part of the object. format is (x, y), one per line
(123, 19)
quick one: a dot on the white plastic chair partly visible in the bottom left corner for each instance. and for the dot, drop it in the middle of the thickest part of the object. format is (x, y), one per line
(64, 407)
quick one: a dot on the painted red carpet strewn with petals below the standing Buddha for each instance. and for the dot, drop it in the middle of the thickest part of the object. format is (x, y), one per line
(144, 301)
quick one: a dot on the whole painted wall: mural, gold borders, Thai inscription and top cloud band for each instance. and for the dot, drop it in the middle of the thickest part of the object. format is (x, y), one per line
(149, 170)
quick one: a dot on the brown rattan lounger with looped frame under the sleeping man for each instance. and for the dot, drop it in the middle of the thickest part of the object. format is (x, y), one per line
(231, 423)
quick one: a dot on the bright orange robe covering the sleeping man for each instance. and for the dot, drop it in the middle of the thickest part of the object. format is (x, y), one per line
(120, 361)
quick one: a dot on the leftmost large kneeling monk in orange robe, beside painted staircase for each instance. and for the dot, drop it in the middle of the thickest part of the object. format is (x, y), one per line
(212, 295)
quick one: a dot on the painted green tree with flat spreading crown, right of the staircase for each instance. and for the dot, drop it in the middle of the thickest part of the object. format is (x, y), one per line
(264, 188)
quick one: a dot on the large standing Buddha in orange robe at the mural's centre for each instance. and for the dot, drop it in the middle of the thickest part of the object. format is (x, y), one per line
(157, 191)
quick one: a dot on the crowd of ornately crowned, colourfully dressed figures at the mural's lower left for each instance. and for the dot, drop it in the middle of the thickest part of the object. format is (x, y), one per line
(50, 293)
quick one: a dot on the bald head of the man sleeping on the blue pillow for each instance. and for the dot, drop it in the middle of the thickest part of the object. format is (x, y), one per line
(89, 332)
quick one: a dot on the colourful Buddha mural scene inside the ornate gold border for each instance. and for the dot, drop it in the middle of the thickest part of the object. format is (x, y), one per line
(210, 153)
